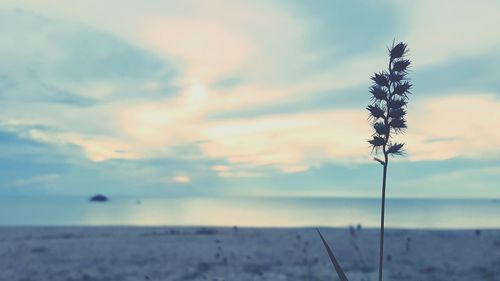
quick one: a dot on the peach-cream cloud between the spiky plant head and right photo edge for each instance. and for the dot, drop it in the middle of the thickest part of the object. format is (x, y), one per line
(465, 123)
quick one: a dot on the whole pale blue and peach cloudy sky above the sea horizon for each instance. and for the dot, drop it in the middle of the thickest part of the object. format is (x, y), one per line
(243, 98)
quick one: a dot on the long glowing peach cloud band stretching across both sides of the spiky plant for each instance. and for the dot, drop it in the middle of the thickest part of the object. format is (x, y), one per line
(291, 142)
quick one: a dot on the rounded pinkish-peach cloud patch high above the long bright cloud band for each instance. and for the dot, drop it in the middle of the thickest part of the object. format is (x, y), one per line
(199, 45)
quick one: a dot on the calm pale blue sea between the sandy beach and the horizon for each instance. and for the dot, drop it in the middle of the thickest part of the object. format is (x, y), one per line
(411, 213)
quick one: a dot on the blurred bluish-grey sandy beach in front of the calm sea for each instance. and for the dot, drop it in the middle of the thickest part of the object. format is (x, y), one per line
(232, 253)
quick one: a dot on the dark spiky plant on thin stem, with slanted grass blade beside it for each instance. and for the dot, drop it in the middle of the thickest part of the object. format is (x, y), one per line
(387, 112)
